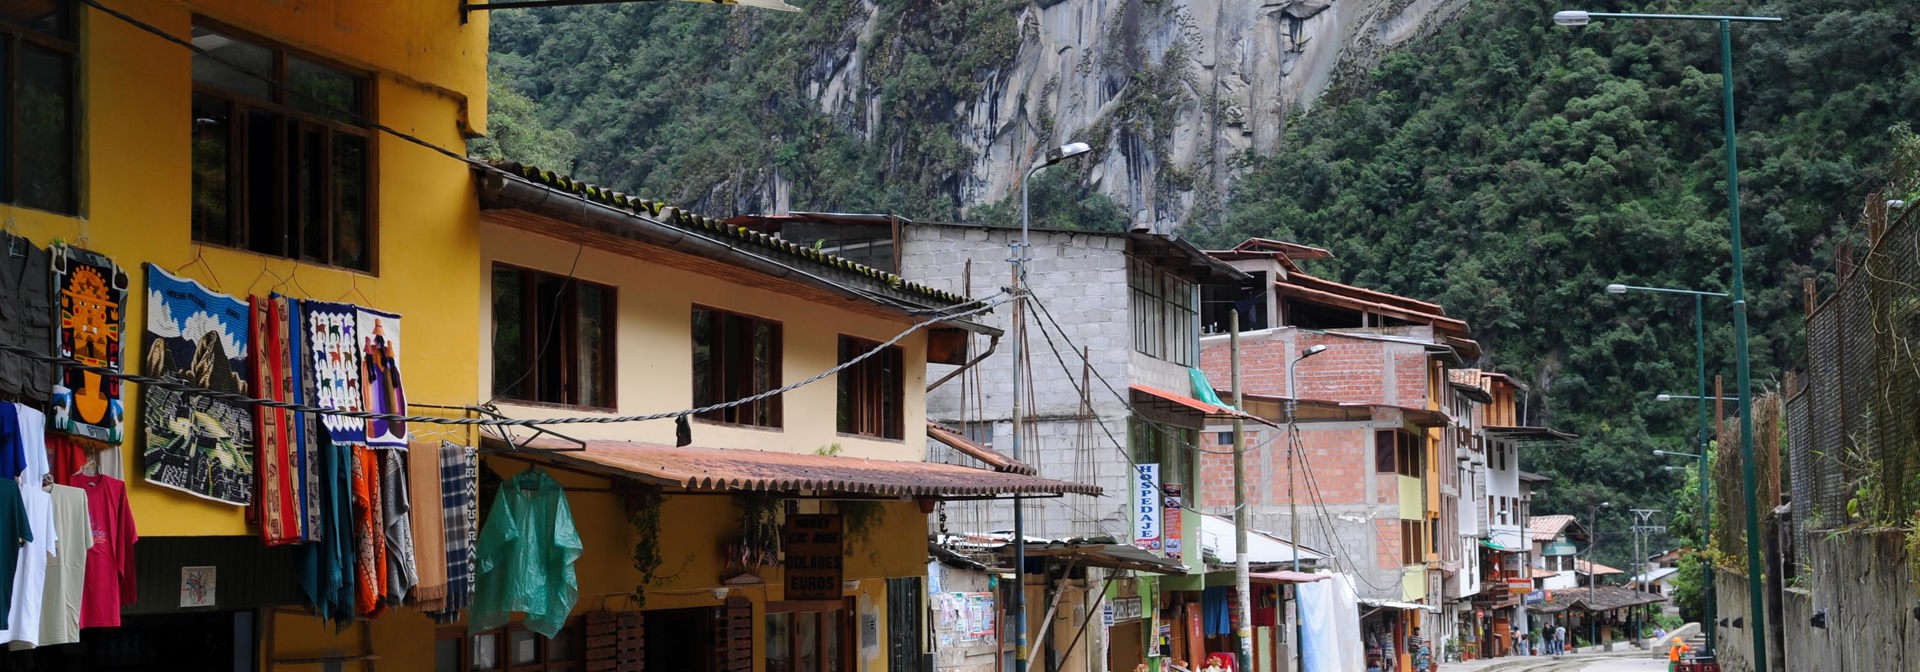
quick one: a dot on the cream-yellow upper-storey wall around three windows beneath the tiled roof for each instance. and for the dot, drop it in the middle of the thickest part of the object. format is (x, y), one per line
(656, 350)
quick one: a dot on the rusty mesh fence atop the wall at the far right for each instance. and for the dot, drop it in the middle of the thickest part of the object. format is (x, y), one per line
(1854, 427)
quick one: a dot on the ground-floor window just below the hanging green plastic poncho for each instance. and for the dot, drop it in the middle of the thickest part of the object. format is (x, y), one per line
(510, 650)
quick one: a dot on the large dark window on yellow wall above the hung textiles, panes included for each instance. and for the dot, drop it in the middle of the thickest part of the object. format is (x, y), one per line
(283, 155)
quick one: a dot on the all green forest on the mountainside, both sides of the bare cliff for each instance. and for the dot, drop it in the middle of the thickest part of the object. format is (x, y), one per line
(1504, 168)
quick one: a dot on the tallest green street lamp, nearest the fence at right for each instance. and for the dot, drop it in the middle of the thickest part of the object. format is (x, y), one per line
(1756, 600)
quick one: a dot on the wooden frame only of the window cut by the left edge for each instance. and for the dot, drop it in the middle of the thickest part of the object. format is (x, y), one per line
(12, 37)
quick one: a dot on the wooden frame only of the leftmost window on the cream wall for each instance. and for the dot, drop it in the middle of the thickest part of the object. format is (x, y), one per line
(565, 312)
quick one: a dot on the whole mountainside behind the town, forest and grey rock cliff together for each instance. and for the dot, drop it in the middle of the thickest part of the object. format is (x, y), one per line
(1466, 153)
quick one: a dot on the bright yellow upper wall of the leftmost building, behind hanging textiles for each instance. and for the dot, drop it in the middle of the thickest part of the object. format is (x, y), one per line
(135, 191)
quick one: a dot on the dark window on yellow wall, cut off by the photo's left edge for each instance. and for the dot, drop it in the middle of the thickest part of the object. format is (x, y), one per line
(39, 116)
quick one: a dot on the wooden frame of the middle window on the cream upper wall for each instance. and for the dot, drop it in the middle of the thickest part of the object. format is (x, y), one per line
(719, 379)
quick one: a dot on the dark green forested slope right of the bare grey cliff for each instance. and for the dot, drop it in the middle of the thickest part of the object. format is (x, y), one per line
(1510, 170)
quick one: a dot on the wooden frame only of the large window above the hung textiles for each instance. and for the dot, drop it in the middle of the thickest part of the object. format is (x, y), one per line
(241, 176)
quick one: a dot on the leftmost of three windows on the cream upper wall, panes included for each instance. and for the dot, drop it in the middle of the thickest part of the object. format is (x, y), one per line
(552, 339)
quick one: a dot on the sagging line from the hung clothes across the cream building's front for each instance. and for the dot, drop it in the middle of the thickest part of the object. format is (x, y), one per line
(980, 306)
